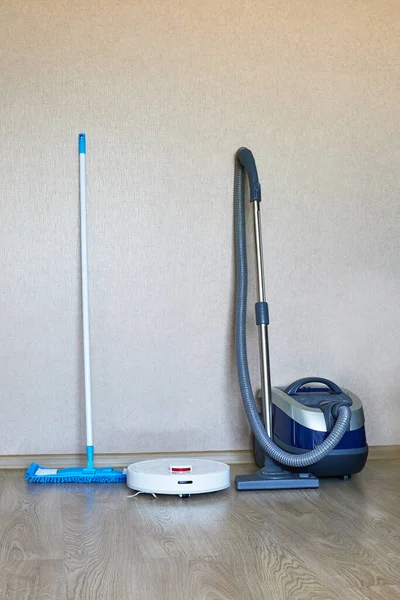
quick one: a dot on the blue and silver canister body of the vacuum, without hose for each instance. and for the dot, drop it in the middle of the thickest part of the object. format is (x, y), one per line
(303, 415)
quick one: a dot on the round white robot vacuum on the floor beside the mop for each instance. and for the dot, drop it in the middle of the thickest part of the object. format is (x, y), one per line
(182, 477)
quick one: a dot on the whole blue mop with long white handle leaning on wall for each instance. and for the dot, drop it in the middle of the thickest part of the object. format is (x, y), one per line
(88, 474)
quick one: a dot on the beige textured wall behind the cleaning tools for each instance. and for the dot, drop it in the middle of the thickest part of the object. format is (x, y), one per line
(166, 92)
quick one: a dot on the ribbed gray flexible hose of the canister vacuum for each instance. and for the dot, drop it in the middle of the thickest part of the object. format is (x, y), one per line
(256, 424)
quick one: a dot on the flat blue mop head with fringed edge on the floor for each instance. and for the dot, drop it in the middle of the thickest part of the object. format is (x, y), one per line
(37, 474)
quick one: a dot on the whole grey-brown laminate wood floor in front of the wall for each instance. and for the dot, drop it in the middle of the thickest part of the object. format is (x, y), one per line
(91, 542)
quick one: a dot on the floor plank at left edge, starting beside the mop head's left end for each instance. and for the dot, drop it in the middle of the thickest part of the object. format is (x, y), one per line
(30, 520)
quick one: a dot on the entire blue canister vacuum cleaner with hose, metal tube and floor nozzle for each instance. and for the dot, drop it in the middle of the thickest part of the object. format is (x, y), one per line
(309, 429)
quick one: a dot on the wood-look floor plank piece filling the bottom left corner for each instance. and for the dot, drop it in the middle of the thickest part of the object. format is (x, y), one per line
(32, 580)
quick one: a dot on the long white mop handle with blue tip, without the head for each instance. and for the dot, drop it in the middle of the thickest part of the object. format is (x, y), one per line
(85, 290)
